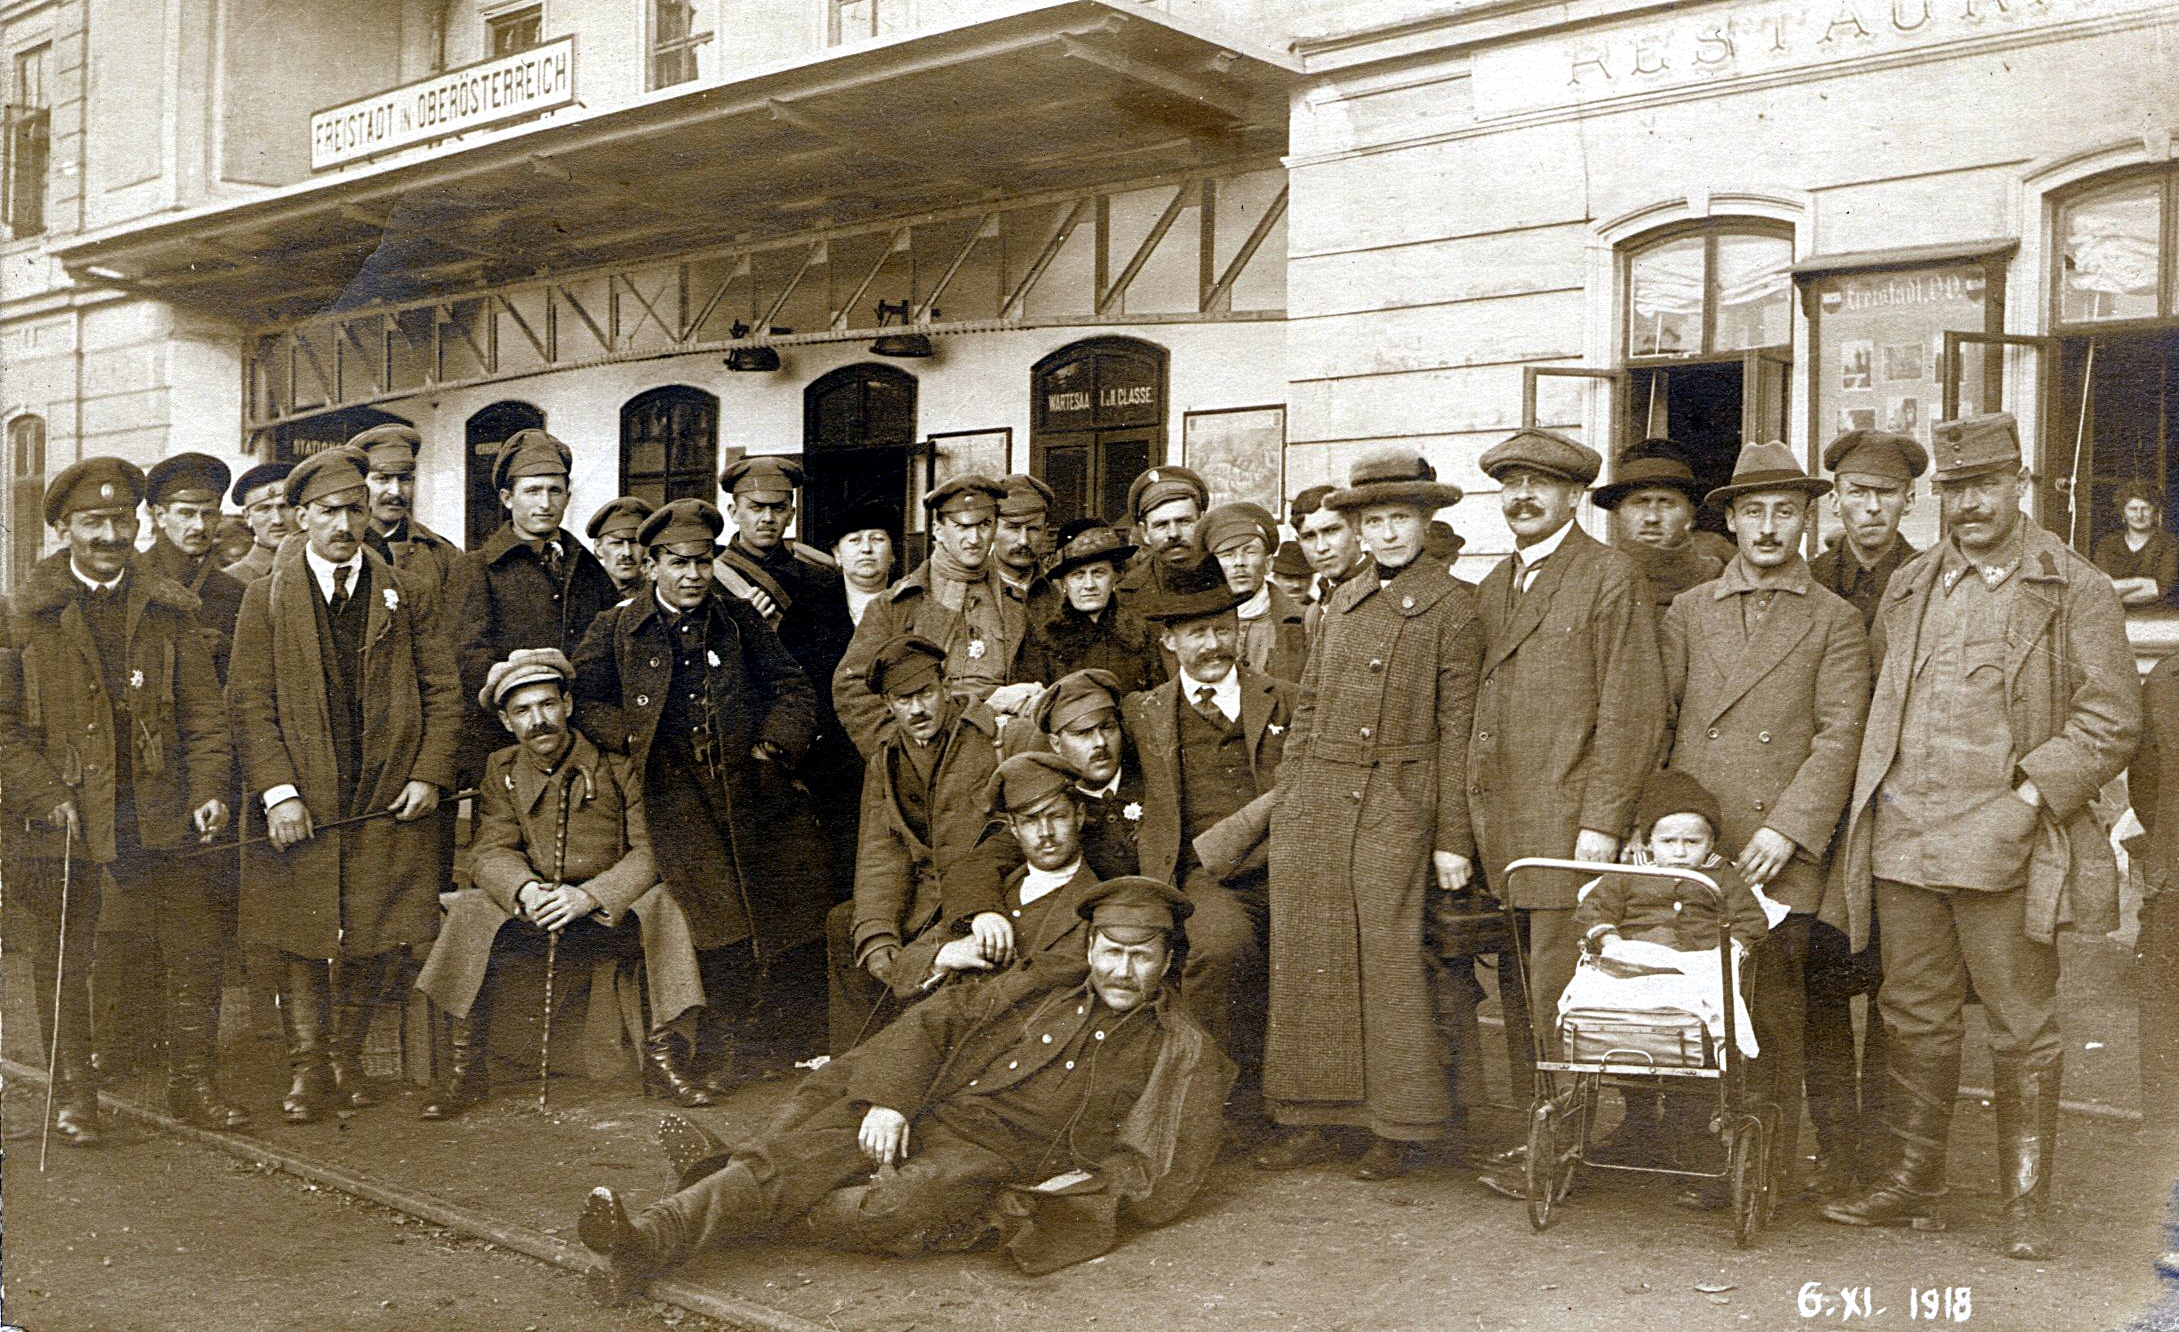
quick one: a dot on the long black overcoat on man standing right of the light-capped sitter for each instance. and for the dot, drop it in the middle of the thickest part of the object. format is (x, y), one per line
(755, 692)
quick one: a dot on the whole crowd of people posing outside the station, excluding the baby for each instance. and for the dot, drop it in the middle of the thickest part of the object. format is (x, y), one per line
(1112, 766)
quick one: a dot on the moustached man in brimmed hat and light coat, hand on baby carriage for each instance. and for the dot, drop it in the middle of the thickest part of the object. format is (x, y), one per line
(1770, 683)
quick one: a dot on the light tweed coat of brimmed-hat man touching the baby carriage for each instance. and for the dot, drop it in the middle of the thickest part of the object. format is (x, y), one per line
(1770, 725)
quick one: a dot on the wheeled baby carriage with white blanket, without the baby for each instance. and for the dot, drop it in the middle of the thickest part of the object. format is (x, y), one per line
(1648, 1050)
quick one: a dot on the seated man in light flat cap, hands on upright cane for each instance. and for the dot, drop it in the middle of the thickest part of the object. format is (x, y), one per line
(563, 849)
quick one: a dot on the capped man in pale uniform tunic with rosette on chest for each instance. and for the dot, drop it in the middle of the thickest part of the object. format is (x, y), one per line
(955, 598)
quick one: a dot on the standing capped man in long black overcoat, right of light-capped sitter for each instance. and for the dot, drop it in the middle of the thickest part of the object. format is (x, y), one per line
(714, 714)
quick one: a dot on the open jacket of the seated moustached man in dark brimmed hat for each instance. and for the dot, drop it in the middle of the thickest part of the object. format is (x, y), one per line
(1154, 727)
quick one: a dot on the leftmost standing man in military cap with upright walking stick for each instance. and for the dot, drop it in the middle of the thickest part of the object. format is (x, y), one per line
(114, 753)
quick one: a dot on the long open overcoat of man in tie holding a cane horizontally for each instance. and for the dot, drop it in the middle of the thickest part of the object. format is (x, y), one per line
(376, 886)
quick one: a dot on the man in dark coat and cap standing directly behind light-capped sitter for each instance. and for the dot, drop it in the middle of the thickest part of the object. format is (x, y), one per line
(531, 585)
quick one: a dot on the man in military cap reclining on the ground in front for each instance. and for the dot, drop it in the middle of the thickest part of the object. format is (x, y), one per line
(1067, 1100)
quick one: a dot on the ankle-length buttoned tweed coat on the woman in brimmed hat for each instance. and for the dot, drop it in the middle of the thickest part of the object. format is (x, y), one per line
(1370, 788)
